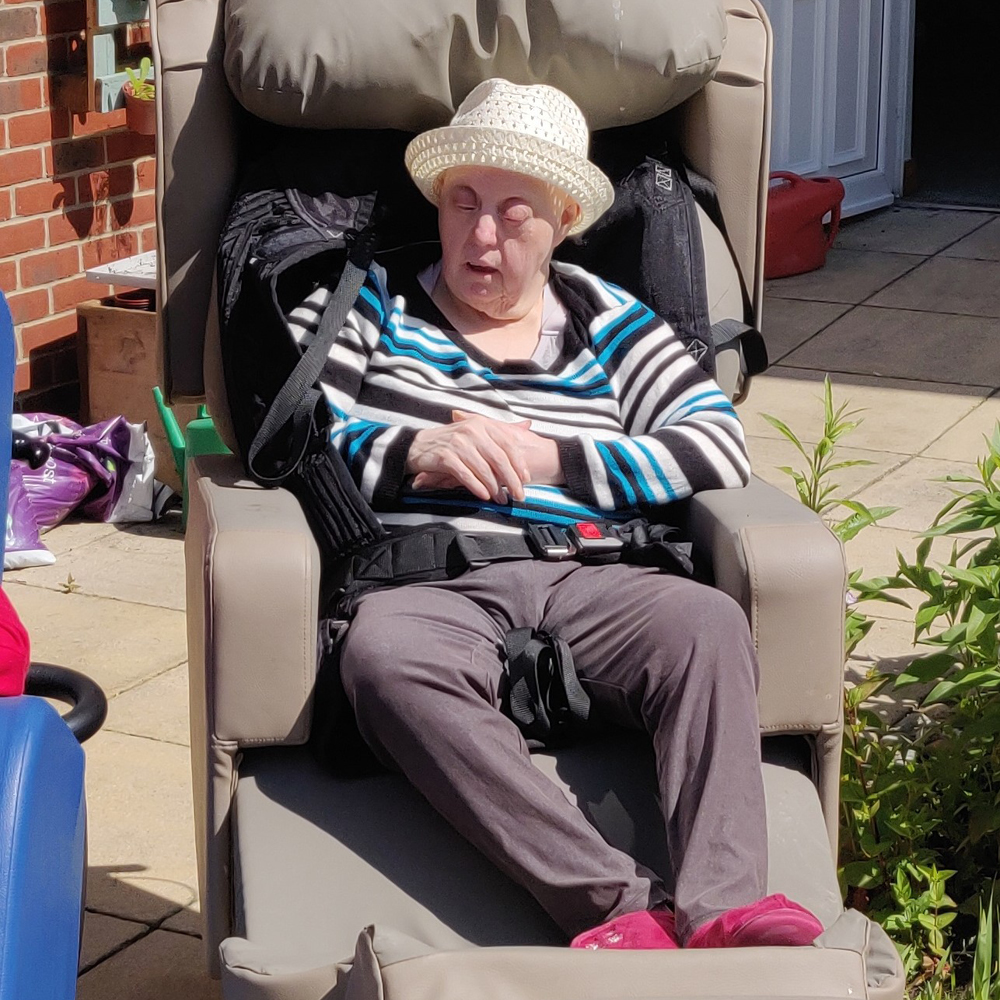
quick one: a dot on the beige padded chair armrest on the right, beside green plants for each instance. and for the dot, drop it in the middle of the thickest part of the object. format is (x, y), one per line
(786, 568)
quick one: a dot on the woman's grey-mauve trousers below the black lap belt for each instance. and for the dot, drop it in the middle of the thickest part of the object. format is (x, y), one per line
(422, 664)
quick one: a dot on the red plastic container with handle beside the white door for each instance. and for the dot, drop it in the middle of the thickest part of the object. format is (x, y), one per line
(796, 239)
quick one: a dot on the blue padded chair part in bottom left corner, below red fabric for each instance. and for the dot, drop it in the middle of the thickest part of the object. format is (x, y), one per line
(42, 852)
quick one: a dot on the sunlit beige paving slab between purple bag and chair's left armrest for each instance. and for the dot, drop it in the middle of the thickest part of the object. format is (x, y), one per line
(143, 564)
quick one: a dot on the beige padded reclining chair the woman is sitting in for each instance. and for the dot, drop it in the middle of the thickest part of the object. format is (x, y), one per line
(313, 886)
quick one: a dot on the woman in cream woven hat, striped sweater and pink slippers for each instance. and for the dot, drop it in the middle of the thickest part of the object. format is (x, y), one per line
(501, 388)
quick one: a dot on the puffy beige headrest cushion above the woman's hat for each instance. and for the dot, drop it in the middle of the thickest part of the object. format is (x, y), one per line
(621, 62)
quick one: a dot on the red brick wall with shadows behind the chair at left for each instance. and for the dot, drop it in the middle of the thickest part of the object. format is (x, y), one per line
(76, 190)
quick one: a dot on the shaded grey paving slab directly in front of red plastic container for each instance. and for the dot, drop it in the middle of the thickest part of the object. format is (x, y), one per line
(848, 276)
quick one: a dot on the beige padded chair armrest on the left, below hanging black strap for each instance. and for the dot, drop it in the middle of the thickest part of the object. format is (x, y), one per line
(252, 608)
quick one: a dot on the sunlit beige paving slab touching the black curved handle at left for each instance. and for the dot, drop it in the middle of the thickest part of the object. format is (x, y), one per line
(115, 643)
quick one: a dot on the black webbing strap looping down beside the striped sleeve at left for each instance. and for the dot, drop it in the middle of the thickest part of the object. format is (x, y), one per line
(298, 397)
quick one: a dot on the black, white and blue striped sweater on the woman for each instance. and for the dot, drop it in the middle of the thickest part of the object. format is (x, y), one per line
(636, 421)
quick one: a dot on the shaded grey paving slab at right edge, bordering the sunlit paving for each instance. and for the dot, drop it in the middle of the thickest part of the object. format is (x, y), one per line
(906, 344)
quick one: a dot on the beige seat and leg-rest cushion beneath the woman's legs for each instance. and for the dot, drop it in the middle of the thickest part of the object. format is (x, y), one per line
(320, 858)
